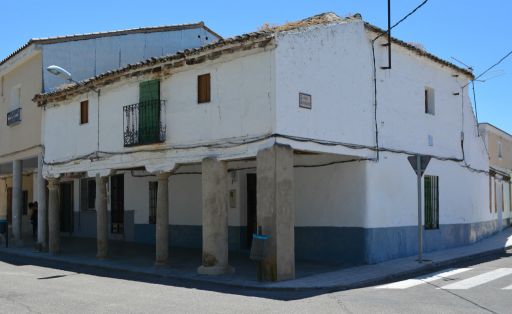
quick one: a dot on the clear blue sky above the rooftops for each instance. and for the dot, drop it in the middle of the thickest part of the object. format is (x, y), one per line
(475, 32)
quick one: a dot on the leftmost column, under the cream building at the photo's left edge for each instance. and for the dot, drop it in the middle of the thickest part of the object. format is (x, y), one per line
(17, 200)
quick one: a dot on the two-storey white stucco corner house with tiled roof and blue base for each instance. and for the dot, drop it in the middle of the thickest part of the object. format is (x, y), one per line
(296, 129)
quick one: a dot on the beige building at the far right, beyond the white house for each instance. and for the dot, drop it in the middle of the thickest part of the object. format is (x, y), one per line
(499, 147)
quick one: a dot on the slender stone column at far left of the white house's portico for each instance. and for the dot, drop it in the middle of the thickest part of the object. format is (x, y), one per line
(53, 216)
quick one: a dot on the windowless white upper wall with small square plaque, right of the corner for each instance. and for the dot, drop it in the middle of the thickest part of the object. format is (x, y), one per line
(332, 64)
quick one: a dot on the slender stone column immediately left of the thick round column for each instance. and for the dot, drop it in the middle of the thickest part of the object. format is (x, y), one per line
(162, 219)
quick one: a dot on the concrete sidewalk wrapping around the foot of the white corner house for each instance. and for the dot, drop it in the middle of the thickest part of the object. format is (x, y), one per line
(315, 278)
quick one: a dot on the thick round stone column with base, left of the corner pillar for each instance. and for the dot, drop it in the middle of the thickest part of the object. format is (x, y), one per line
(215, 218)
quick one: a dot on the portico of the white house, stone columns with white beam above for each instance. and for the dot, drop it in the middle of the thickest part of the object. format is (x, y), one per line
(272, 165)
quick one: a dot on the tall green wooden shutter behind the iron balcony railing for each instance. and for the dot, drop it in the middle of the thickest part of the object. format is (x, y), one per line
(149, 111)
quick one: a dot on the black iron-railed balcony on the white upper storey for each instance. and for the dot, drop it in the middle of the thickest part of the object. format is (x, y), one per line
(144, 123)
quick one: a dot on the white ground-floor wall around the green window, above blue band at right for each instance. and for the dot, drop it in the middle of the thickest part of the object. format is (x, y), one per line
(392, 193)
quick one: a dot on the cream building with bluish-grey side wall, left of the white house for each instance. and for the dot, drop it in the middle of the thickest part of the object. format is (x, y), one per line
(23, 75)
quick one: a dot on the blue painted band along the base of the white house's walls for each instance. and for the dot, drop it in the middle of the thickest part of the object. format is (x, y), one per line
(329, 245)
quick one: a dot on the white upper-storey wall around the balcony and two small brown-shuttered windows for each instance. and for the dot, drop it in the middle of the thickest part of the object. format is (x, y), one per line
(240, 107)
